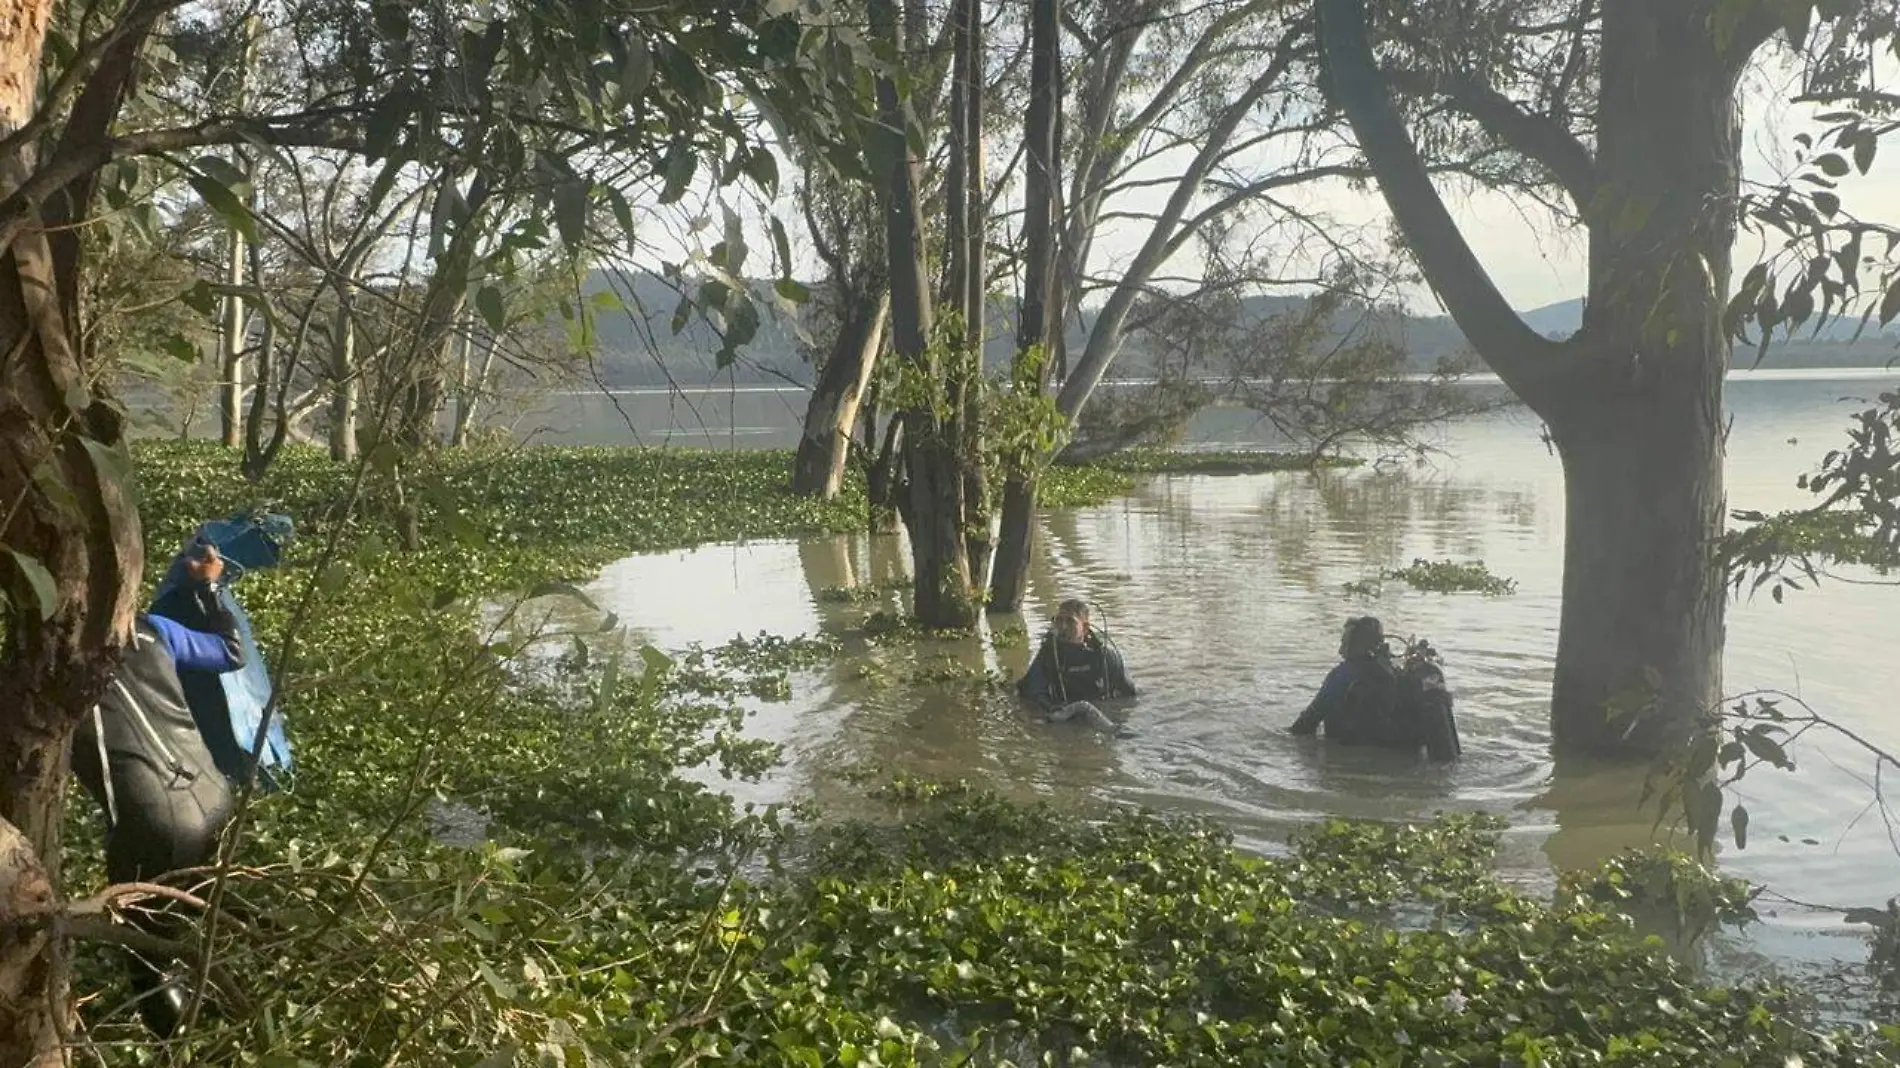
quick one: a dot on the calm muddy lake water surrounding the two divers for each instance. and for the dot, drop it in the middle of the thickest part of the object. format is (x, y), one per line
(1226, 596)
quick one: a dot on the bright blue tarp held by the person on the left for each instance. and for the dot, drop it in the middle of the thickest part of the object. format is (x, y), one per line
(231, 708)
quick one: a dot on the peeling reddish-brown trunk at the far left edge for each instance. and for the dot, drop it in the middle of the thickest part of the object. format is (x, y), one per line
(71, 535)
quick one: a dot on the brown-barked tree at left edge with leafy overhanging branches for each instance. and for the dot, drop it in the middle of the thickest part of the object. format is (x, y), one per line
(615, 96)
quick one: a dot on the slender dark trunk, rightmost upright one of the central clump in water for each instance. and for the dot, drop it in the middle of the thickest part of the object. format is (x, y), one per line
(1017, 537)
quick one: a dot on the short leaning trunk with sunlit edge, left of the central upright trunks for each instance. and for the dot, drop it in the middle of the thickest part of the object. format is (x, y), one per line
(833, 415)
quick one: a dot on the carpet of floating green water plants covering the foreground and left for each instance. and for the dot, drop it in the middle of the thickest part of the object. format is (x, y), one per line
(615, 909)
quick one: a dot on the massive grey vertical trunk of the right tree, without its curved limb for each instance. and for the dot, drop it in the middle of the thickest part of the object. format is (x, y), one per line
(1643, 415)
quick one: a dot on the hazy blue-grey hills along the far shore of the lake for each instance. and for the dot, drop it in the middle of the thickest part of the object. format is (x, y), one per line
(643, 351)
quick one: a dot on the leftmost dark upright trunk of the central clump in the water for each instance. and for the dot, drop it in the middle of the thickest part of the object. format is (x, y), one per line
(934, 491)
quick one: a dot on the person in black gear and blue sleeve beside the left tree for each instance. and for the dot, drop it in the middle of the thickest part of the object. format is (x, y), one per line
(142, 759)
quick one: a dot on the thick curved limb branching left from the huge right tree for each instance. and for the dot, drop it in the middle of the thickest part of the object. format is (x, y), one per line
(1519, 354)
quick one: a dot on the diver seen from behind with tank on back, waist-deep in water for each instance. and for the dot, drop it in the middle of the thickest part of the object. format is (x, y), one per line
(1371, 700)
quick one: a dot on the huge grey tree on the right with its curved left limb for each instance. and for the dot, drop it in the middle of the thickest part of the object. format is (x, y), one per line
(1635, 119)
